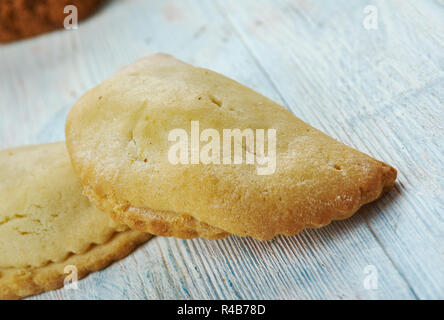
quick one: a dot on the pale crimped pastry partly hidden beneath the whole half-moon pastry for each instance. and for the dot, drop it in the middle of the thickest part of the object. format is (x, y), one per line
(46, 224)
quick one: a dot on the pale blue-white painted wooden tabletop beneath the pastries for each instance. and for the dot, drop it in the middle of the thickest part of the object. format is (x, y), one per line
(381, 91)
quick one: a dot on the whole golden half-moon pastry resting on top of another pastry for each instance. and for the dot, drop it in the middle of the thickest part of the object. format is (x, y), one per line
(119, 139)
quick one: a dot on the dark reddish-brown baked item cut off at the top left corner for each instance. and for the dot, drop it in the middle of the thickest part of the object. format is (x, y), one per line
(21, 19)
